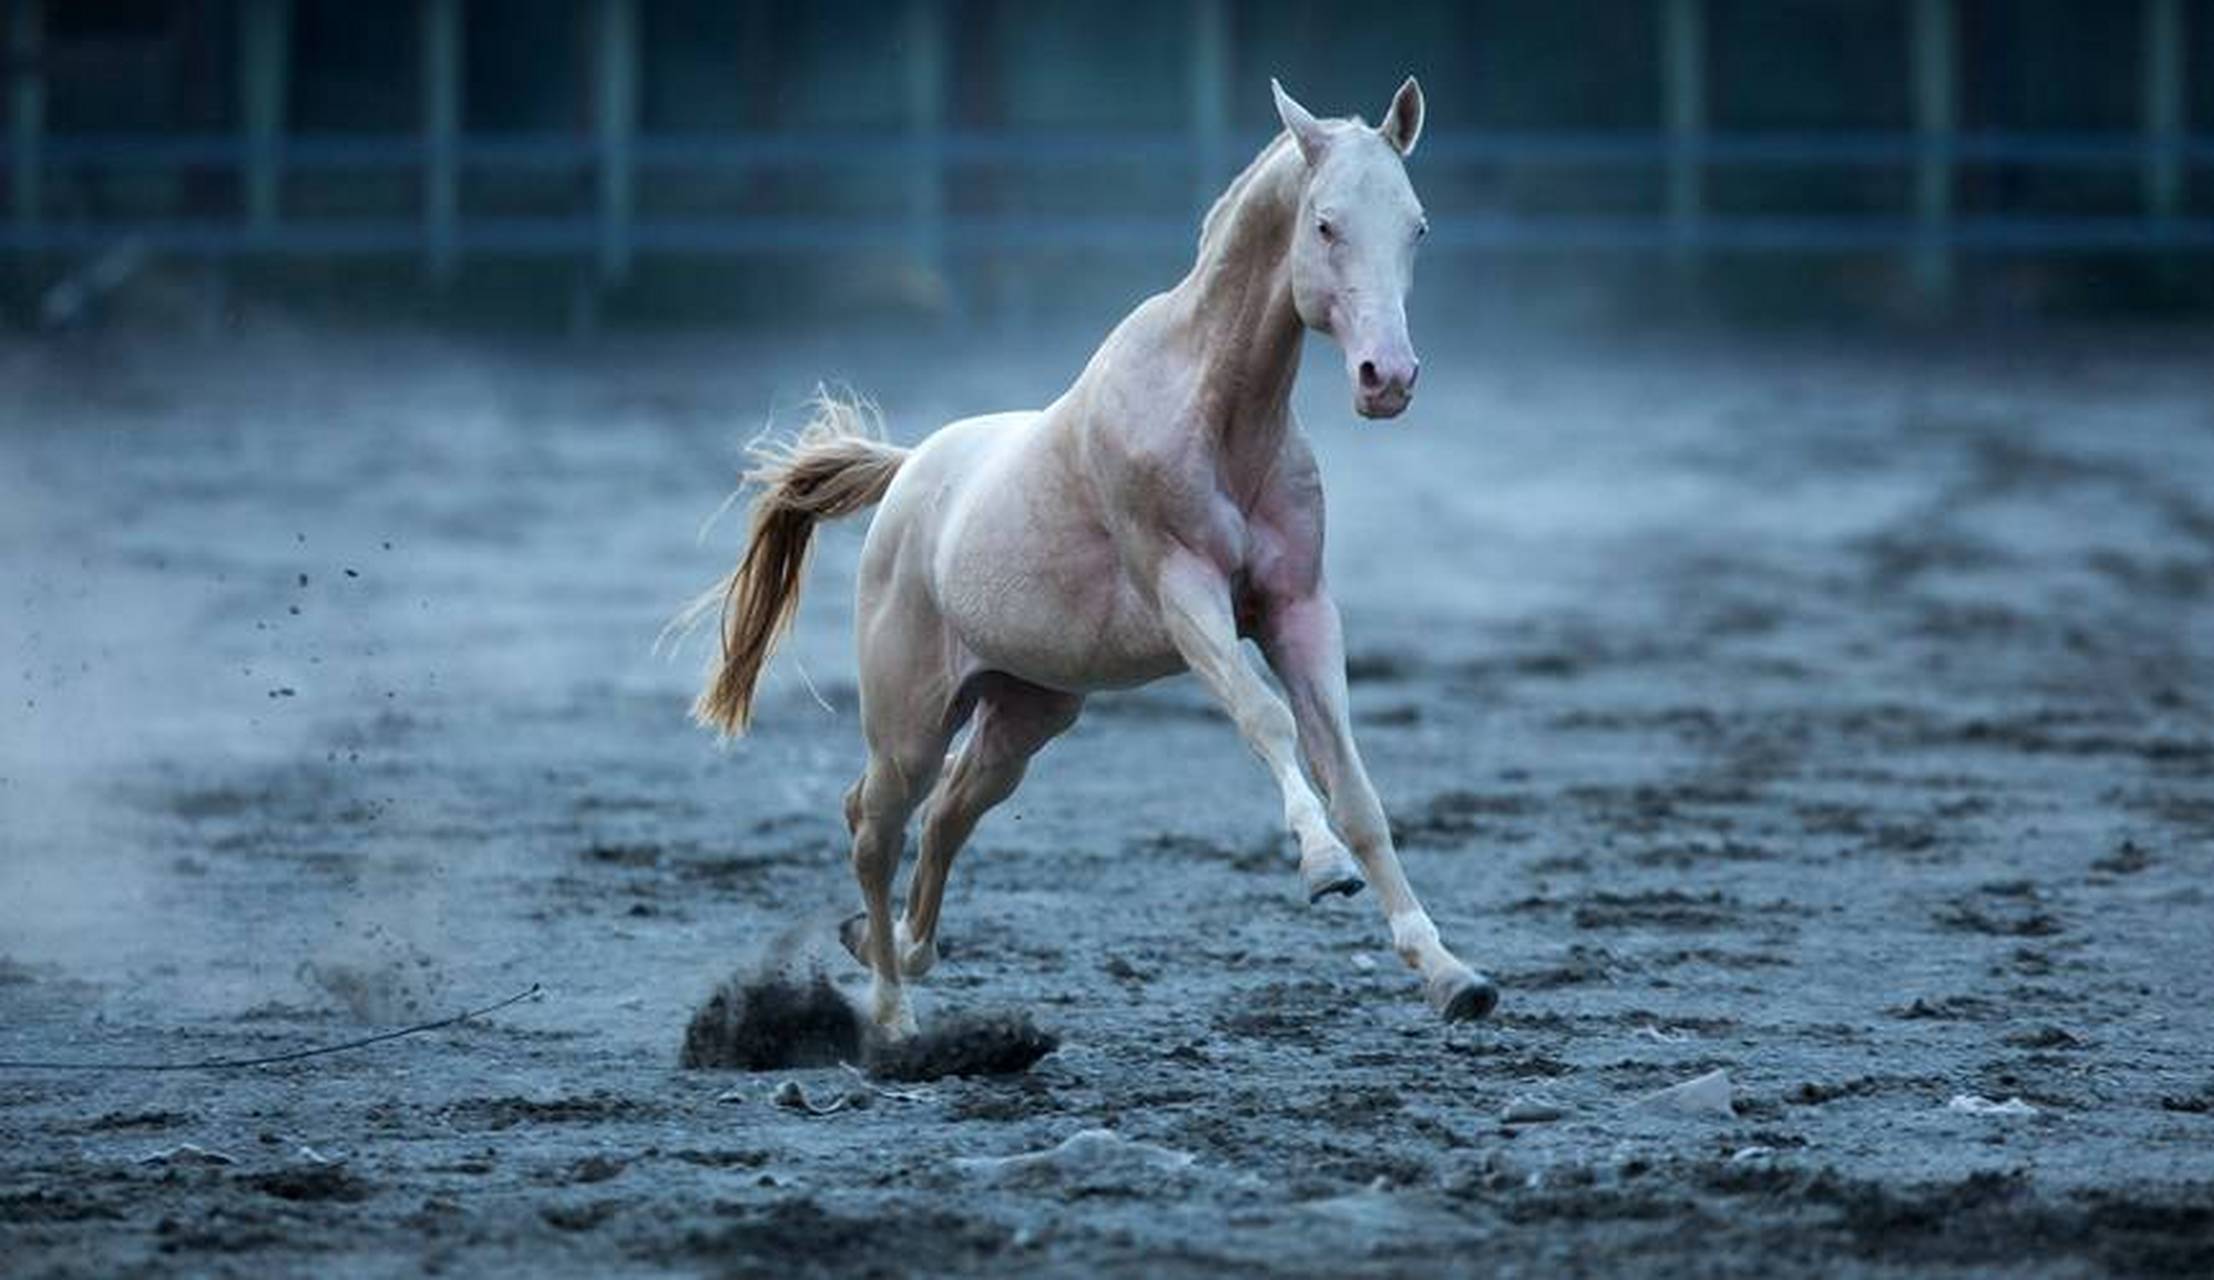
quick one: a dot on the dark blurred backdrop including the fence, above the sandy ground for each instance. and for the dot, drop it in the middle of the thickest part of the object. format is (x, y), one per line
(714, 163)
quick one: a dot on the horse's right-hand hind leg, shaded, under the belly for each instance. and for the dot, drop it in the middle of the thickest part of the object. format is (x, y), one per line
(1013, 723)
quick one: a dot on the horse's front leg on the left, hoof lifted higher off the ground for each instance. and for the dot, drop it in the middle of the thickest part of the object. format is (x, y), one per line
(1197, 610)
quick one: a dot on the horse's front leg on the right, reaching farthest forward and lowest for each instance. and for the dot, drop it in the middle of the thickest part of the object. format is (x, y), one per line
(1307, 652)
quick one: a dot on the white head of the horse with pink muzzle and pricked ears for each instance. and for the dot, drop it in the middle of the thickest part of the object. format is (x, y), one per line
(1354, 242)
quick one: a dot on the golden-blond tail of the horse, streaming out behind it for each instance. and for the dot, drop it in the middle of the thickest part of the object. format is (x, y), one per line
(836, 466)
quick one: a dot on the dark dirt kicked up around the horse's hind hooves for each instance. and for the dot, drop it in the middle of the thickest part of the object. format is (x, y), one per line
(772, 1020)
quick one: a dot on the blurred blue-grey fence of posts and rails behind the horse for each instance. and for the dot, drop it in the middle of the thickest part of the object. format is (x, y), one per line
(614, 154)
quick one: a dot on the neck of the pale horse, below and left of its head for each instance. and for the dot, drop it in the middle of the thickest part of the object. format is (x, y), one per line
(1243, 324)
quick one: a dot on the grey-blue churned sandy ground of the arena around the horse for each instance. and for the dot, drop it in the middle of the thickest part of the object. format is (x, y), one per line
(1837, 716)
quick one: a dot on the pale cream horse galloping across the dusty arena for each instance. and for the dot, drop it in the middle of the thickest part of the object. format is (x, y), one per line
(1144, 524)
